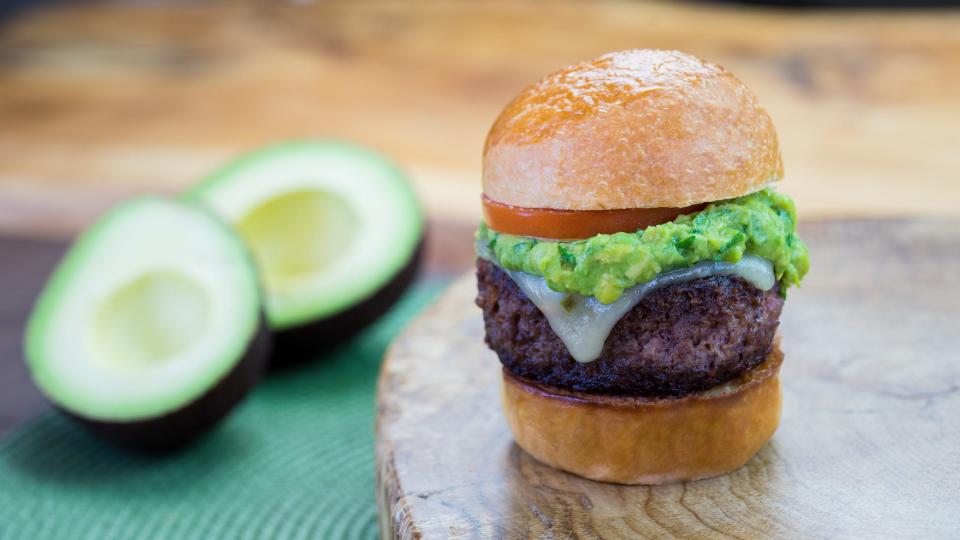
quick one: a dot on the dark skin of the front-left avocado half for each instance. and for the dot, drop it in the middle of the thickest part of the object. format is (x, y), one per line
(182, 426)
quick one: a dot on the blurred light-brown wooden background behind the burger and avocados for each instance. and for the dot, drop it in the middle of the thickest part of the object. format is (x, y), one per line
(102, 100)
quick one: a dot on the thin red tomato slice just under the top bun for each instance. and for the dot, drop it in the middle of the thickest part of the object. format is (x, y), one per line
(575, 224)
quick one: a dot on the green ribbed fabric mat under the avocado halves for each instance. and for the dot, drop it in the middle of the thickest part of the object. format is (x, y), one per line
(295, 460)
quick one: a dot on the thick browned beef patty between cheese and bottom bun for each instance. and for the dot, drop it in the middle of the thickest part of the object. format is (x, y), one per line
(679, 339)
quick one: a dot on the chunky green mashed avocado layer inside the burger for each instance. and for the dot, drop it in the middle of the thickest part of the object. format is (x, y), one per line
(761, 224)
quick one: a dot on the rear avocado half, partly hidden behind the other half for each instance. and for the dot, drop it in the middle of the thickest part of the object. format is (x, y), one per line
(336, 231)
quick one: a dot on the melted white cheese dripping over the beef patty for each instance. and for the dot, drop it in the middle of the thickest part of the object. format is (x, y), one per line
(583, 322)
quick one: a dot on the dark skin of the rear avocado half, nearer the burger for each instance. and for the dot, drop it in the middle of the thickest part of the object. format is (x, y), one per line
(305, 342)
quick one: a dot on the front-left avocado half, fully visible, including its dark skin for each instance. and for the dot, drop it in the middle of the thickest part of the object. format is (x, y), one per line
(150, 330)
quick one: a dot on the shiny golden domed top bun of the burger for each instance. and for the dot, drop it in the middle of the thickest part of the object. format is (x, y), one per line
(631, 129)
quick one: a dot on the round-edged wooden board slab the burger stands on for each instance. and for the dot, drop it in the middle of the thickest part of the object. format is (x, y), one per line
(868, 445)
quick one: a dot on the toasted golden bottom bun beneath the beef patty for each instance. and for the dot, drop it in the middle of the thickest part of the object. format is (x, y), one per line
(635, 440)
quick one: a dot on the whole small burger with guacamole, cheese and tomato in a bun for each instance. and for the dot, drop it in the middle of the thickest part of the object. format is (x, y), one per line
(632, 265)
